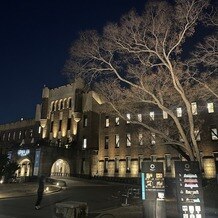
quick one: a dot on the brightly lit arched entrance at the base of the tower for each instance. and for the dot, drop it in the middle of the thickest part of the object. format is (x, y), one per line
(60, 168)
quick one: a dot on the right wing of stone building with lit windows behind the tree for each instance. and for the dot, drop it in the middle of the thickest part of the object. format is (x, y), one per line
(122, 148)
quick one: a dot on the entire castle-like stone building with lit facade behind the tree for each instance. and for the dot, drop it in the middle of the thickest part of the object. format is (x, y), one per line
(71, 135)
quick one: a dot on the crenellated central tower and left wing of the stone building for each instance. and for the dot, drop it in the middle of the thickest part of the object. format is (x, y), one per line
(62, 139)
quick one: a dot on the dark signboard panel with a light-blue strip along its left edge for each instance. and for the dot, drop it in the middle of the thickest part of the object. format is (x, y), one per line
(152, 179)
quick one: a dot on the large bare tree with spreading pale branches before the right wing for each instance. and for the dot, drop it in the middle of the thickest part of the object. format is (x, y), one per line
(140, 63)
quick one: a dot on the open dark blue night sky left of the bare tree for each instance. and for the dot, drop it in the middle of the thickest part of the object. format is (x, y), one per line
(34, 42)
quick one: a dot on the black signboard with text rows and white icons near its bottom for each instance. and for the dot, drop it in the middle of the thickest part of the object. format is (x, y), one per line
(189, 189)
